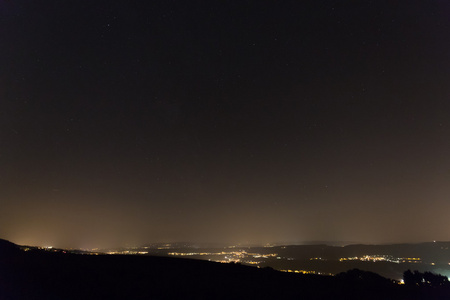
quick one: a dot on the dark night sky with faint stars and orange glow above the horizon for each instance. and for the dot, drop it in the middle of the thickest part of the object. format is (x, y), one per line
(224, 121)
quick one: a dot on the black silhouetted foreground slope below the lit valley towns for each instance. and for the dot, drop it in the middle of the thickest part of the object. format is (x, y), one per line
(49, 275)
